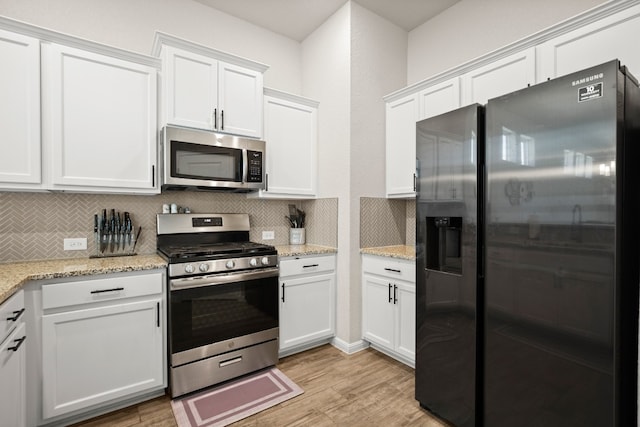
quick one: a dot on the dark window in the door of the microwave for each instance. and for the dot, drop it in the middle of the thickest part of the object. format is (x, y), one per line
(205, 162)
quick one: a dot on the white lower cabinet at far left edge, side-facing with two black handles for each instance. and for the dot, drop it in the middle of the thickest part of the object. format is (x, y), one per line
(12, 362)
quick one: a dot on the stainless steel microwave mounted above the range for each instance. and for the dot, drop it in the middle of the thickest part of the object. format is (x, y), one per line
(204, 160)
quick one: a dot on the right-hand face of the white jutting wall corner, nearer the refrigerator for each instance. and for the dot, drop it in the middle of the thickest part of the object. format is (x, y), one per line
(378, 66)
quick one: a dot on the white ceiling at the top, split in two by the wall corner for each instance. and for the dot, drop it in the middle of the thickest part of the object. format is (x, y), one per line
(297, 19)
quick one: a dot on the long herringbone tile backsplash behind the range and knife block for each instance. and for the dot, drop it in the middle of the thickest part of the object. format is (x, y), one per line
(33, 225)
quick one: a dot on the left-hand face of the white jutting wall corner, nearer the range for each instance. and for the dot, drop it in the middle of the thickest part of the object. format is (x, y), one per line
(326, 78)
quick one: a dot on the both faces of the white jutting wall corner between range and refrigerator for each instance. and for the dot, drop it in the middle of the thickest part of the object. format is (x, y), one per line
(349, 63)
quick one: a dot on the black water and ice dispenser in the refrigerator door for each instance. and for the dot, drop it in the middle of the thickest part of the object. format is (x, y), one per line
(444, 243)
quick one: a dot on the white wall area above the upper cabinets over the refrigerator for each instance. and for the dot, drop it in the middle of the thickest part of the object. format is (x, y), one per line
(472, 28)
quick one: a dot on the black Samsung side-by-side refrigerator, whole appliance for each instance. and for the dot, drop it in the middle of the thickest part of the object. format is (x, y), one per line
(549, 231)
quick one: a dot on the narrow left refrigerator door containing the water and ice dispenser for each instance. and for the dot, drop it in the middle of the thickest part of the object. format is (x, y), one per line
(446, 251)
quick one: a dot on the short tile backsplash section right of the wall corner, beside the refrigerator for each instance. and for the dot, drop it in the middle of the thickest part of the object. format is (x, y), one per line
(386, 222)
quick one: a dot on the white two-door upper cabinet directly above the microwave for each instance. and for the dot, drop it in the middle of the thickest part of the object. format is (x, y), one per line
(208, 89)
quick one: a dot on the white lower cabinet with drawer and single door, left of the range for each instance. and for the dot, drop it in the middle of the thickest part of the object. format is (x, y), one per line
(102, 341)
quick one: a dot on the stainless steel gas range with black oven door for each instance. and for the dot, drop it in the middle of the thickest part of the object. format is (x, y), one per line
(223, 299)
